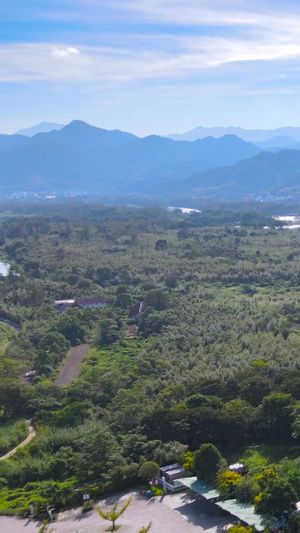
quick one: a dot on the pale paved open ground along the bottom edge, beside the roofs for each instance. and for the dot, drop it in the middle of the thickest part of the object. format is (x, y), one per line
(169, 514)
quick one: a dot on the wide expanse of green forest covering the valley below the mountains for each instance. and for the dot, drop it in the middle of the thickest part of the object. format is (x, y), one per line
(213, 358)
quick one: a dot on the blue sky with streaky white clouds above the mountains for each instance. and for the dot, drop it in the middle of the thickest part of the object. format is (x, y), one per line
(150, 66)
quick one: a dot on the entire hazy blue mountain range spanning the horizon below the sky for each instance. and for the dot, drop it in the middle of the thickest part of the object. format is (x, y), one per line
(87, 159)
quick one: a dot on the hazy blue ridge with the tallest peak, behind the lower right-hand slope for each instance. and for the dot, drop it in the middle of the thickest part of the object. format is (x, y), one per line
(110, 162)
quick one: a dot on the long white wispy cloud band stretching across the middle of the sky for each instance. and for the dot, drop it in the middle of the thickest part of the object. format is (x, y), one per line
(172, 57)
